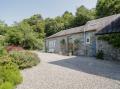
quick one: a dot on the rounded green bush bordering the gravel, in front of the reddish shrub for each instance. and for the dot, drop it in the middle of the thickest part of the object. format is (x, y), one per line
(24, 59)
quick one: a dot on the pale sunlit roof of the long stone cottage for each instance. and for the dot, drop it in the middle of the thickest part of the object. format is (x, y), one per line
(70, 30)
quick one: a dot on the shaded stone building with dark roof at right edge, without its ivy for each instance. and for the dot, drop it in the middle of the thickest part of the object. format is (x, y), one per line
(112, 29)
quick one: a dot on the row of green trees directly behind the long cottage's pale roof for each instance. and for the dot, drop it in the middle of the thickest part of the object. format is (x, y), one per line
(68, 20)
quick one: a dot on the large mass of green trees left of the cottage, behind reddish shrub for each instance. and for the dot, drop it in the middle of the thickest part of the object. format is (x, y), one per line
(29, 33)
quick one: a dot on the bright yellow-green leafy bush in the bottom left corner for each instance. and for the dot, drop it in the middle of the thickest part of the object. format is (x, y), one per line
(9, 73)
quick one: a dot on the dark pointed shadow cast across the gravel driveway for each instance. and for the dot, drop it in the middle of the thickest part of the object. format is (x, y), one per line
(91, 66)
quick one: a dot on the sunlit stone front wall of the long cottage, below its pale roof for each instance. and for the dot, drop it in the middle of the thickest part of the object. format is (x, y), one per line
(83, 49)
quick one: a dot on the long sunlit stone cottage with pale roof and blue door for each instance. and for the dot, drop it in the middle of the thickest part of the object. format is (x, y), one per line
(79, 40)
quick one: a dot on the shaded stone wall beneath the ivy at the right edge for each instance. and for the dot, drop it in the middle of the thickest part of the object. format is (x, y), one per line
(110, 53)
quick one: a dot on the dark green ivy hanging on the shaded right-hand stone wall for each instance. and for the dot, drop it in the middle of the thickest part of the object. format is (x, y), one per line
(113, 39)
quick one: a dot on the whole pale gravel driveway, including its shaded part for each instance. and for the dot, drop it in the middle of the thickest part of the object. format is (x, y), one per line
(63, 72)
